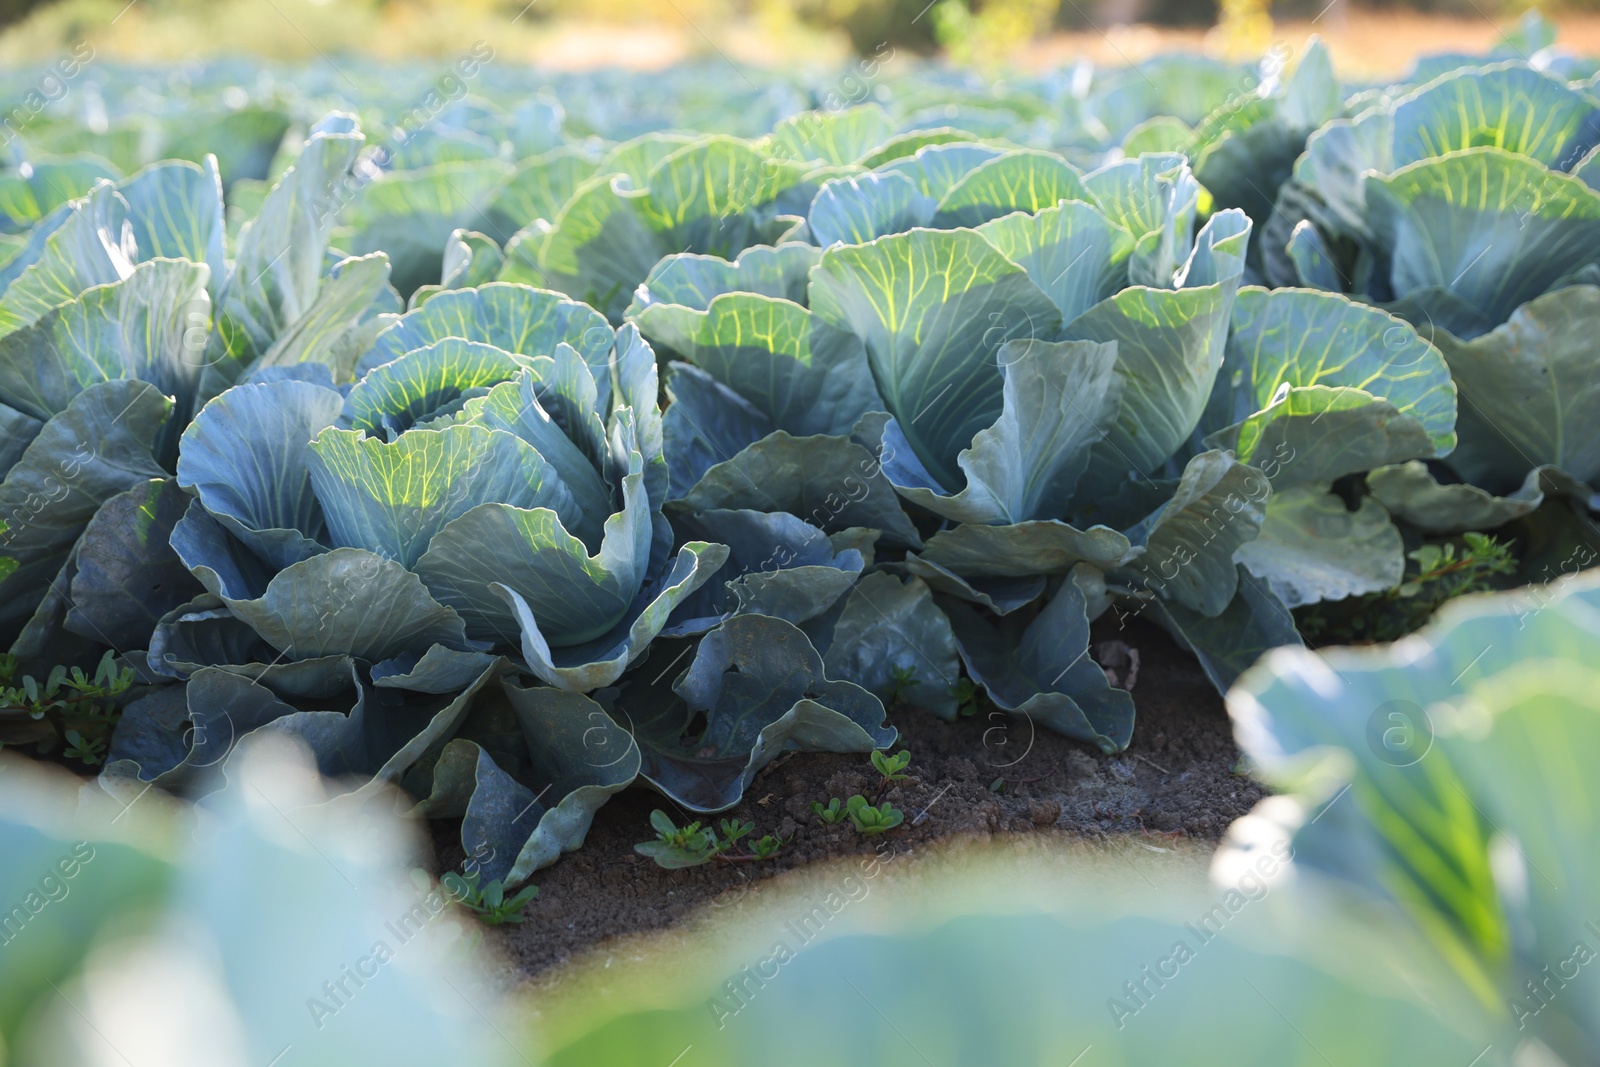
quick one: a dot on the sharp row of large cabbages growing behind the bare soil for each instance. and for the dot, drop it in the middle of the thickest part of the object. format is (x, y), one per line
(746, 439)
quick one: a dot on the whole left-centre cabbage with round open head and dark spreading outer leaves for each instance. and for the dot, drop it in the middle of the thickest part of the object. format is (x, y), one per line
(486, 500)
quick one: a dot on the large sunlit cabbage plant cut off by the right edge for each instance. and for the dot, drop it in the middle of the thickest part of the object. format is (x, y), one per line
(1466, 207)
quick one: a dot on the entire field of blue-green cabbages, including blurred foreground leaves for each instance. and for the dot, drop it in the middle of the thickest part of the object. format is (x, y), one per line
(513, 441)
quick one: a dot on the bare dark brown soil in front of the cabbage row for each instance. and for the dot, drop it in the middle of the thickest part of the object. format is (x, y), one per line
(972, 778)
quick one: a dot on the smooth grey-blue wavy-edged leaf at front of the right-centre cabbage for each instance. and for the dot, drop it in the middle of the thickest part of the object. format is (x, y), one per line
(1060, 399)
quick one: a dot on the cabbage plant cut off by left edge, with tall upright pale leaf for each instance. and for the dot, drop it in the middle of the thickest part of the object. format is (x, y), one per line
(119, 318)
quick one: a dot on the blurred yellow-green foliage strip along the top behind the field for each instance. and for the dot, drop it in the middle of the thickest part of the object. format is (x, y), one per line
(575, 34)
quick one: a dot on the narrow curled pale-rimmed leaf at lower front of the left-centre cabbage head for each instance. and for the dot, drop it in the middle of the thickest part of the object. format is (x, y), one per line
(602, 661)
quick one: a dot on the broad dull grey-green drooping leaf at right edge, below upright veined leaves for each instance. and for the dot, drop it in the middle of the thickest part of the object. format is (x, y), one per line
(1527, 393)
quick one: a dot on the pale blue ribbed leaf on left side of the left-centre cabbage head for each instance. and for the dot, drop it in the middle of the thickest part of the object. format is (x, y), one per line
(247, 457)
